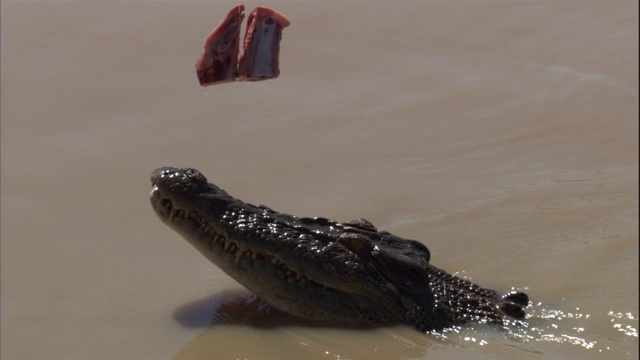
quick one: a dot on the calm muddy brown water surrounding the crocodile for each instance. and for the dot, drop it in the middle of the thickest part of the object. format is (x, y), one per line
(504, 135)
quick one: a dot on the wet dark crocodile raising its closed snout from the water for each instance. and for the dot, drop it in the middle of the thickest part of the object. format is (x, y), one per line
(347, 273)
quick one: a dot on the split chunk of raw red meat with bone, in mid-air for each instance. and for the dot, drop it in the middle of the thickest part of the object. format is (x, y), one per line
(221, 60)
